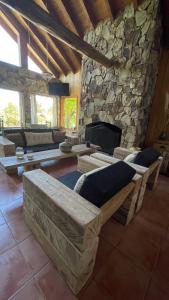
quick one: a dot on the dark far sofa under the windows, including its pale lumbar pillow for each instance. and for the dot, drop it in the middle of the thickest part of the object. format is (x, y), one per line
(18, 137)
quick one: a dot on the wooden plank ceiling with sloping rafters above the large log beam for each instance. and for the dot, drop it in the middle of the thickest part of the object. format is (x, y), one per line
(78, 16)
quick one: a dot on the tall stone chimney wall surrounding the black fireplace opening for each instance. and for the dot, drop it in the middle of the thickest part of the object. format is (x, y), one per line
(123, 96)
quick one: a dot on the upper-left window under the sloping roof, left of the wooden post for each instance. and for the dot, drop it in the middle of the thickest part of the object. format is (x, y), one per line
(6, 55)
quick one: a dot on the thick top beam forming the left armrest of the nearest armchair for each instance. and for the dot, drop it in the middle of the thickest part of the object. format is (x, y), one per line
(77, 218)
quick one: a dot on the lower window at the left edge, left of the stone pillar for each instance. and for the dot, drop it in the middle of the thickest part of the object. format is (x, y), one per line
(10, 108)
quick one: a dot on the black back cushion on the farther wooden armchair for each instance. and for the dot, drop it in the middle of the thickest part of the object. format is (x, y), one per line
(146, 157)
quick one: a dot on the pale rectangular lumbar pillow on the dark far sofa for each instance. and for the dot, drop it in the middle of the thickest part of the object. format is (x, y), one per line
(36, 138)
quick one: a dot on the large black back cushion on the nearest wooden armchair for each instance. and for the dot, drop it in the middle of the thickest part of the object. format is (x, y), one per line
(100, 186)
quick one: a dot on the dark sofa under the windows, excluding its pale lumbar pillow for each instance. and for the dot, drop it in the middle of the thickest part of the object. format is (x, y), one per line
(18, 138)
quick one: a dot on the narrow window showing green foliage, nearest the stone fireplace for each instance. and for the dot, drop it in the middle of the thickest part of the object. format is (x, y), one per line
(69, 112)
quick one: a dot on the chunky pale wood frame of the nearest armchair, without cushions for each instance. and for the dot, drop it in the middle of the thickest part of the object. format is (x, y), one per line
(67, 225)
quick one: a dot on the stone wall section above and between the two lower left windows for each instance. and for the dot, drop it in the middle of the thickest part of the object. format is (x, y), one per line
(24, 81)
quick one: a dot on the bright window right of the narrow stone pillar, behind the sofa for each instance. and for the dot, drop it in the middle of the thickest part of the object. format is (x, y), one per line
(44, 110)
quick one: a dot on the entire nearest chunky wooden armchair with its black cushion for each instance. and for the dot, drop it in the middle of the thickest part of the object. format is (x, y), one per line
(67, 224)
